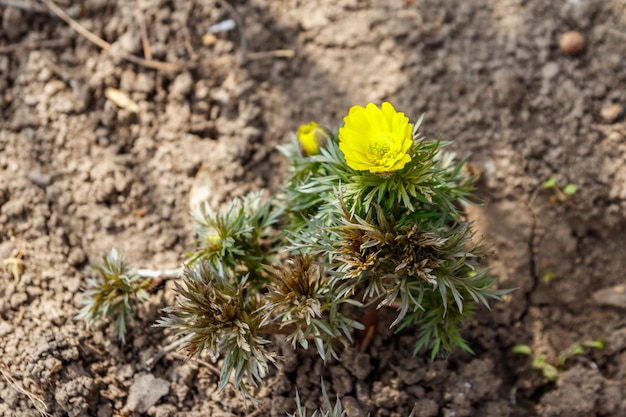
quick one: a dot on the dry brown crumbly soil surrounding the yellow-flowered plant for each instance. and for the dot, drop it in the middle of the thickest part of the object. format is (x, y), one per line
(80, 175)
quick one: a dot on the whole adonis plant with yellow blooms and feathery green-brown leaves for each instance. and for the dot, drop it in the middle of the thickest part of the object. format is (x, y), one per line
(370, 217)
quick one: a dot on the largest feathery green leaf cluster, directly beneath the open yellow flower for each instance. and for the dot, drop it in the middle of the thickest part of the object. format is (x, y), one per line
(398, 240)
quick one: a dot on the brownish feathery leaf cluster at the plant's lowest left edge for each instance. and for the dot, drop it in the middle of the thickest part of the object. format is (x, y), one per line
(217, 313)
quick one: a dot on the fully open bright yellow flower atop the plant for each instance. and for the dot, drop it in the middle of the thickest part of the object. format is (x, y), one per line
(375, 139)
